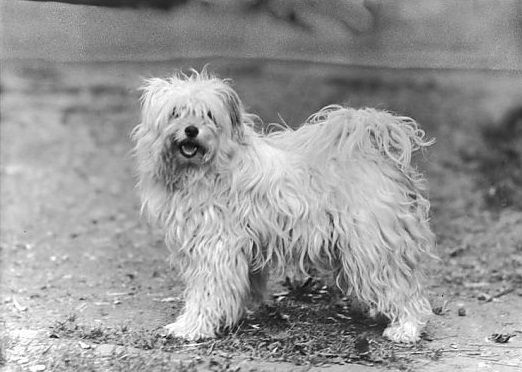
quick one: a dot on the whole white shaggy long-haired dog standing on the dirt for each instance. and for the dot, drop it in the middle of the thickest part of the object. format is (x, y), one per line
(337, 195)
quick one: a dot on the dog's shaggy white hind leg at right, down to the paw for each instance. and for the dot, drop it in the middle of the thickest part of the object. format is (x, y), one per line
(385, 277)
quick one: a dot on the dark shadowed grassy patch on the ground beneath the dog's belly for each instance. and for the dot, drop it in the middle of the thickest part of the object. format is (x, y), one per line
(310, 322)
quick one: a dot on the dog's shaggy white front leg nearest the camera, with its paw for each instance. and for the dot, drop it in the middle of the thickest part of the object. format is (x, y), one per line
(217, 292)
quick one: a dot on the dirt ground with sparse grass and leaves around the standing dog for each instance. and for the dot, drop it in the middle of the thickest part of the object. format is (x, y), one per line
(86, 283)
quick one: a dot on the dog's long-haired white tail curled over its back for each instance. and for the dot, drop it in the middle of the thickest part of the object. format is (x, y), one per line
(364, 132)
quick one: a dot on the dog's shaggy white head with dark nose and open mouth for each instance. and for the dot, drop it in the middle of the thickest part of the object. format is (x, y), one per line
(188, 121)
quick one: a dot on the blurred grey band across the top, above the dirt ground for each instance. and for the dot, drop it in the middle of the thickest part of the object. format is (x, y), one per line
(401, 33)
